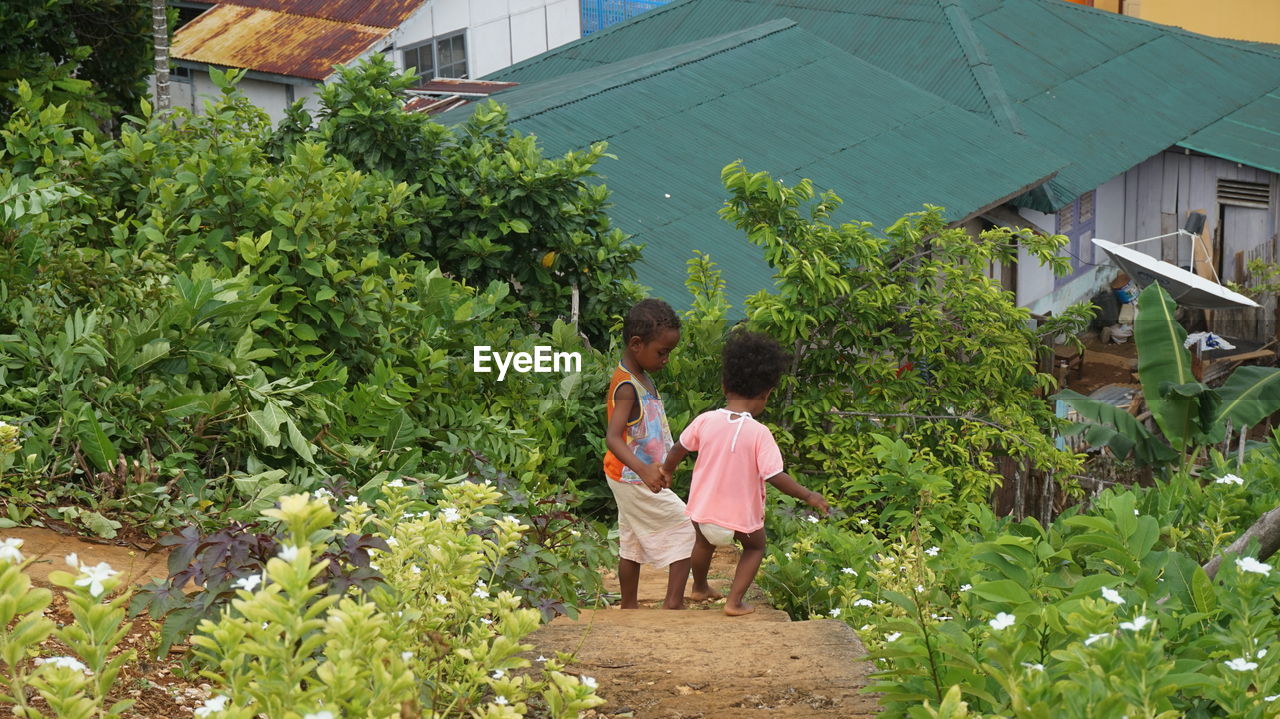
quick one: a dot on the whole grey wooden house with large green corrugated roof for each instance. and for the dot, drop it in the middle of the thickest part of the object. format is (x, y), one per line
(1091, 125)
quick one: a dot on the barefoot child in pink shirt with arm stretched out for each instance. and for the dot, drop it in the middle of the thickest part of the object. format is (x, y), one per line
(737, 456)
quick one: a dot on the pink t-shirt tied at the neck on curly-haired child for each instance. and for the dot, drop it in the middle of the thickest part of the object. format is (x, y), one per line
(735, 456)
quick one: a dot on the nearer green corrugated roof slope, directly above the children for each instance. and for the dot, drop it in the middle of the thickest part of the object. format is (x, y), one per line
(778, 98)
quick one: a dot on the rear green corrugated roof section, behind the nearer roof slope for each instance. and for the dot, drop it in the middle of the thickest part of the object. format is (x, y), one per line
(1105, 91)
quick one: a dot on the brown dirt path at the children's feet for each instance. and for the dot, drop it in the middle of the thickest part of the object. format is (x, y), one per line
(701, 665)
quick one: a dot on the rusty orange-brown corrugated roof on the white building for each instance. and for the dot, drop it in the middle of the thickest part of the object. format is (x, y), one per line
(273, 42)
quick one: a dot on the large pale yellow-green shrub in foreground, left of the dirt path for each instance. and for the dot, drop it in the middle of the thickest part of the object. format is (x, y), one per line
(436, 642)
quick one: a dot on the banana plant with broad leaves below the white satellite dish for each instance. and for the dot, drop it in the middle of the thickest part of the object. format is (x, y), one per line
(1188, 414)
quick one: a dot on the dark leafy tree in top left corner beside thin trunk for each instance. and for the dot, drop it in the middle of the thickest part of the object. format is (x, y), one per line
(94, 54)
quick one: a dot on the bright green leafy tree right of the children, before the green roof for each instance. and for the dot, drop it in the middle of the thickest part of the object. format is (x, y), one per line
(900, 341)
